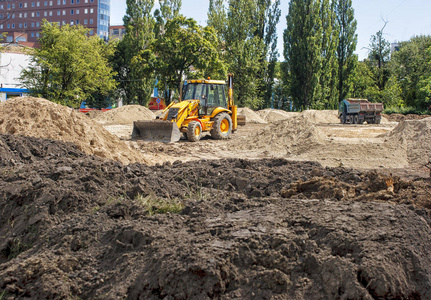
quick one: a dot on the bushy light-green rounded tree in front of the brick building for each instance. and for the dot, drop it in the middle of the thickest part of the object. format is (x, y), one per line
(69, 66)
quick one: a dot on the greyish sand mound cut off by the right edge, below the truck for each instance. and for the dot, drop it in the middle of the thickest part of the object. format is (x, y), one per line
(416, 135)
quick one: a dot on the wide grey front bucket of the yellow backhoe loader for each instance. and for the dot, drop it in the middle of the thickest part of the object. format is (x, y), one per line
(156, 130)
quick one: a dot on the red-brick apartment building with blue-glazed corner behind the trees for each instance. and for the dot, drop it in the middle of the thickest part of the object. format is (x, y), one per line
(21, 20)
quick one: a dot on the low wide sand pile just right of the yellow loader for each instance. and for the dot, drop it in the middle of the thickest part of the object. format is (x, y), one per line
(292, 136)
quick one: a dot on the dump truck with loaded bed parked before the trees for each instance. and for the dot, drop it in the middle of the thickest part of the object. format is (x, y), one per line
(358, 111)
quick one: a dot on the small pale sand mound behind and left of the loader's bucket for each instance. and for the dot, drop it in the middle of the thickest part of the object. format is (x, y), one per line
(124, 115)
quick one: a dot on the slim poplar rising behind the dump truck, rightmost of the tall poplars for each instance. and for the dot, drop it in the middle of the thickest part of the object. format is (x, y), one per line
(347, 40)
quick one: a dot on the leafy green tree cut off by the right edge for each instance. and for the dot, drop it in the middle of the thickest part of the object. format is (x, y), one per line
(411, 66)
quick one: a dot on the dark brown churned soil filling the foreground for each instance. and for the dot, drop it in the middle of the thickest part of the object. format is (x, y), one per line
(78, 228)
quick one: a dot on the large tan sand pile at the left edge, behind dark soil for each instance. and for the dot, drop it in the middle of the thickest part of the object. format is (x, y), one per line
(41, 118)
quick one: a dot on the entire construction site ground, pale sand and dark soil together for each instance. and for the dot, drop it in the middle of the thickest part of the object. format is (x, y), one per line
(293, 206)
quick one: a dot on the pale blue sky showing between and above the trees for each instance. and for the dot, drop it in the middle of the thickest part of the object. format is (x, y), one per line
(406, 18)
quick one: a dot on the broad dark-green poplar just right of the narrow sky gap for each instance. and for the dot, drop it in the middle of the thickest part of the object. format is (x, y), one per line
(302, 51)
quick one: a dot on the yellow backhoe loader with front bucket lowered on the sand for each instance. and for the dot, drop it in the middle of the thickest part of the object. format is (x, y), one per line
(203, 109)
